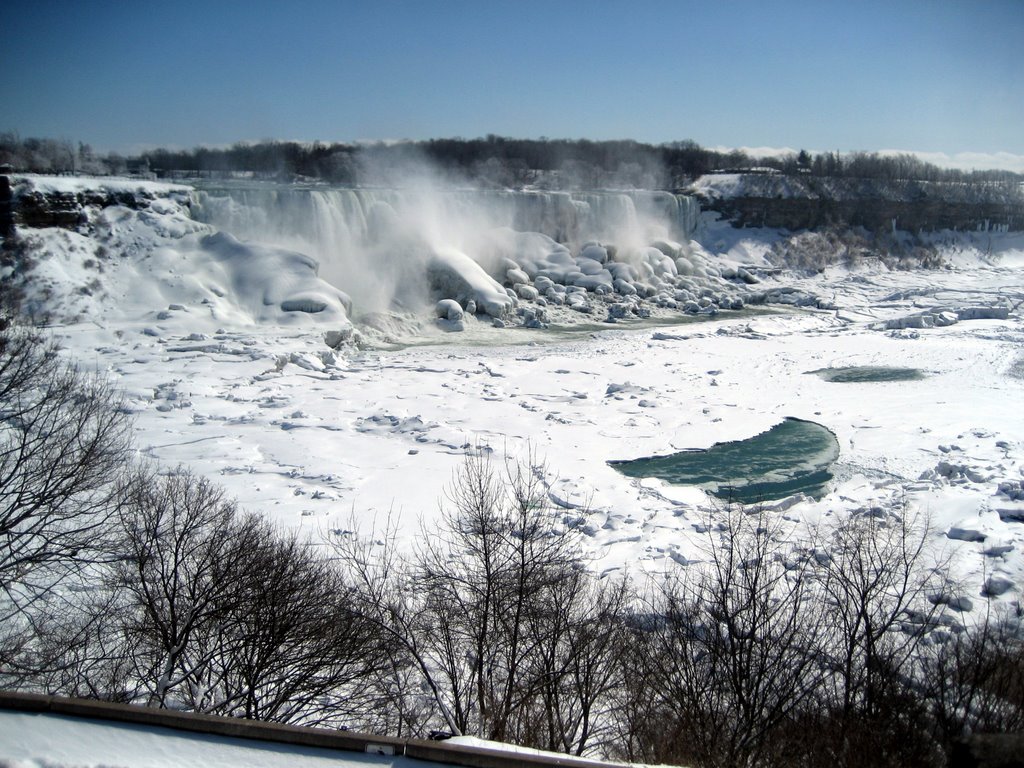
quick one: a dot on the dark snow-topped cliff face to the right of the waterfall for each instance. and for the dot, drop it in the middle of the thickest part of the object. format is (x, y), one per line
(807, 203)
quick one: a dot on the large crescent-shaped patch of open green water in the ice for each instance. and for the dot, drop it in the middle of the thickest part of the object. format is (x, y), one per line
(794, 457)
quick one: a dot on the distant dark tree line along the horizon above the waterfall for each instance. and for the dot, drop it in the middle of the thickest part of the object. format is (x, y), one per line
(494, 161)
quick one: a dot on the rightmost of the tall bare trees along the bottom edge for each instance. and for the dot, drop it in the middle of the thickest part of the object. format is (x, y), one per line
(876, 574)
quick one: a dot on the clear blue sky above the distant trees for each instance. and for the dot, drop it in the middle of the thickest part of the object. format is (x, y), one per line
(934, 76)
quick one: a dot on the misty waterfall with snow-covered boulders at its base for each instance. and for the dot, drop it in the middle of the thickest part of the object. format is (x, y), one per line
(404, 248)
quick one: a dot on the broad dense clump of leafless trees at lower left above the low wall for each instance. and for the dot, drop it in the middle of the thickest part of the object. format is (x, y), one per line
(224, 615)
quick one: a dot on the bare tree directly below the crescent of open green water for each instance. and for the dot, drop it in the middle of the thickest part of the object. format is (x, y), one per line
(734, 656)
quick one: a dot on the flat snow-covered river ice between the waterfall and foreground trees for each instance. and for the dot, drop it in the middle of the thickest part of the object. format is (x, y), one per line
(310, 438)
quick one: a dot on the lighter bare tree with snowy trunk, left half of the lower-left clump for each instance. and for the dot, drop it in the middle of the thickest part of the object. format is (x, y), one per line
(184, 547)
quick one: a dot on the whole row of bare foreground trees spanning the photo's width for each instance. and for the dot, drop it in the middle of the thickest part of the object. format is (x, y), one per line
(148, 585)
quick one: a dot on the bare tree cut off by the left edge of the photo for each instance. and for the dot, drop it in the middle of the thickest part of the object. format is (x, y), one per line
(64, 439)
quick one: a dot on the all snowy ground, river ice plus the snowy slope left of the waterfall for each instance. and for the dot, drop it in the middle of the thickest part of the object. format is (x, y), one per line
(222, 378)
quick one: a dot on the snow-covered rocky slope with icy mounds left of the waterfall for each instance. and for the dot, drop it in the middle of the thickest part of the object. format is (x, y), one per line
(141, 257)
